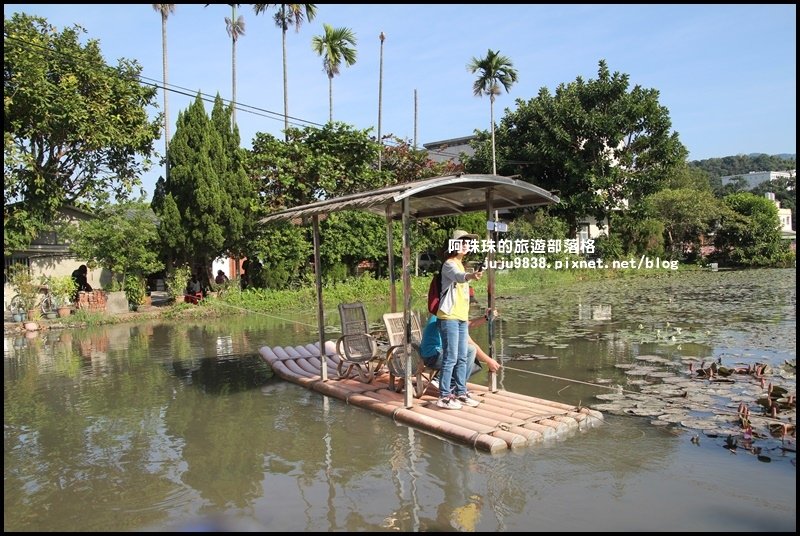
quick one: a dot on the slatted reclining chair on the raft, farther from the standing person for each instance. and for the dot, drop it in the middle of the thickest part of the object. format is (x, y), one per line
(357, 348)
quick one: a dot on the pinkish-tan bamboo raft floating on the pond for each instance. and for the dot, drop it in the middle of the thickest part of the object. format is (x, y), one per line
(503, 421)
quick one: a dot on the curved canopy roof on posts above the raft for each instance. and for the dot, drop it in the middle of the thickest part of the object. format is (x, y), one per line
(429, 198)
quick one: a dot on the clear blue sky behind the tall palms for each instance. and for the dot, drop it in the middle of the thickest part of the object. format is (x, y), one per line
(727, 73)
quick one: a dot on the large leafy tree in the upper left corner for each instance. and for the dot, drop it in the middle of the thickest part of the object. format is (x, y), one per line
(75, 128)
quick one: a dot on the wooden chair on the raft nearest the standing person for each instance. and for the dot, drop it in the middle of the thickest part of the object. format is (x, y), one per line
(396, 356)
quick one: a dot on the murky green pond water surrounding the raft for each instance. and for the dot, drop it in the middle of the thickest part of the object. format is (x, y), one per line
(182, 426)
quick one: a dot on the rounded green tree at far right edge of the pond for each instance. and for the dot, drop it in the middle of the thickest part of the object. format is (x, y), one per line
(749, 232)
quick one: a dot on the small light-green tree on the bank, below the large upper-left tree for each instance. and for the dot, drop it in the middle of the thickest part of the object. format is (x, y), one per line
(122, 239)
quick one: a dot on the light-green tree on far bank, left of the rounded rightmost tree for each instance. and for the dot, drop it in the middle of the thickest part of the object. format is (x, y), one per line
(687, 215)
